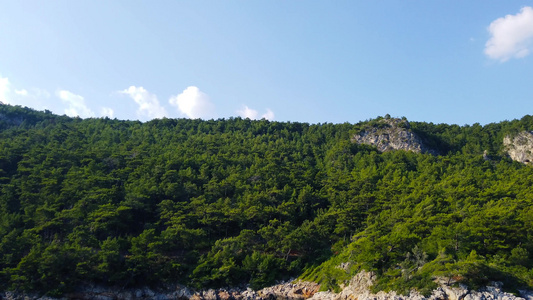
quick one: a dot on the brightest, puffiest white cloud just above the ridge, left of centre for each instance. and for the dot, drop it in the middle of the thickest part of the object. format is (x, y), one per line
(194, 103)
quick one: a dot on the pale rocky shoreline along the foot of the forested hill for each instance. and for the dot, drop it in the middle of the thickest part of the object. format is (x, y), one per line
(357, 289)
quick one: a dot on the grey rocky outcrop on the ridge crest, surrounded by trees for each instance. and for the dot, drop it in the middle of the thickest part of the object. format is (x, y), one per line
(391, 134)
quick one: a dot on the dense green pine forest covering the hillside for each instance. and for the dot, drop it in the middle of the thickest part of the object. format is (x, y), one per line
(233, 201)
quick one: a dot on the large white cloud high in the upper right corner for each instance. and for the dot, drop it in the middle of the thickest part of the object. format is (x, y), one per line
(511, 36)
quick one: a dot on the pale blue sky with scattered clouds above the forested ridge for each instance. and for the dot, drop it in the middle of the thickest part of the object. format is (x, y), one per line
(438, 61)
